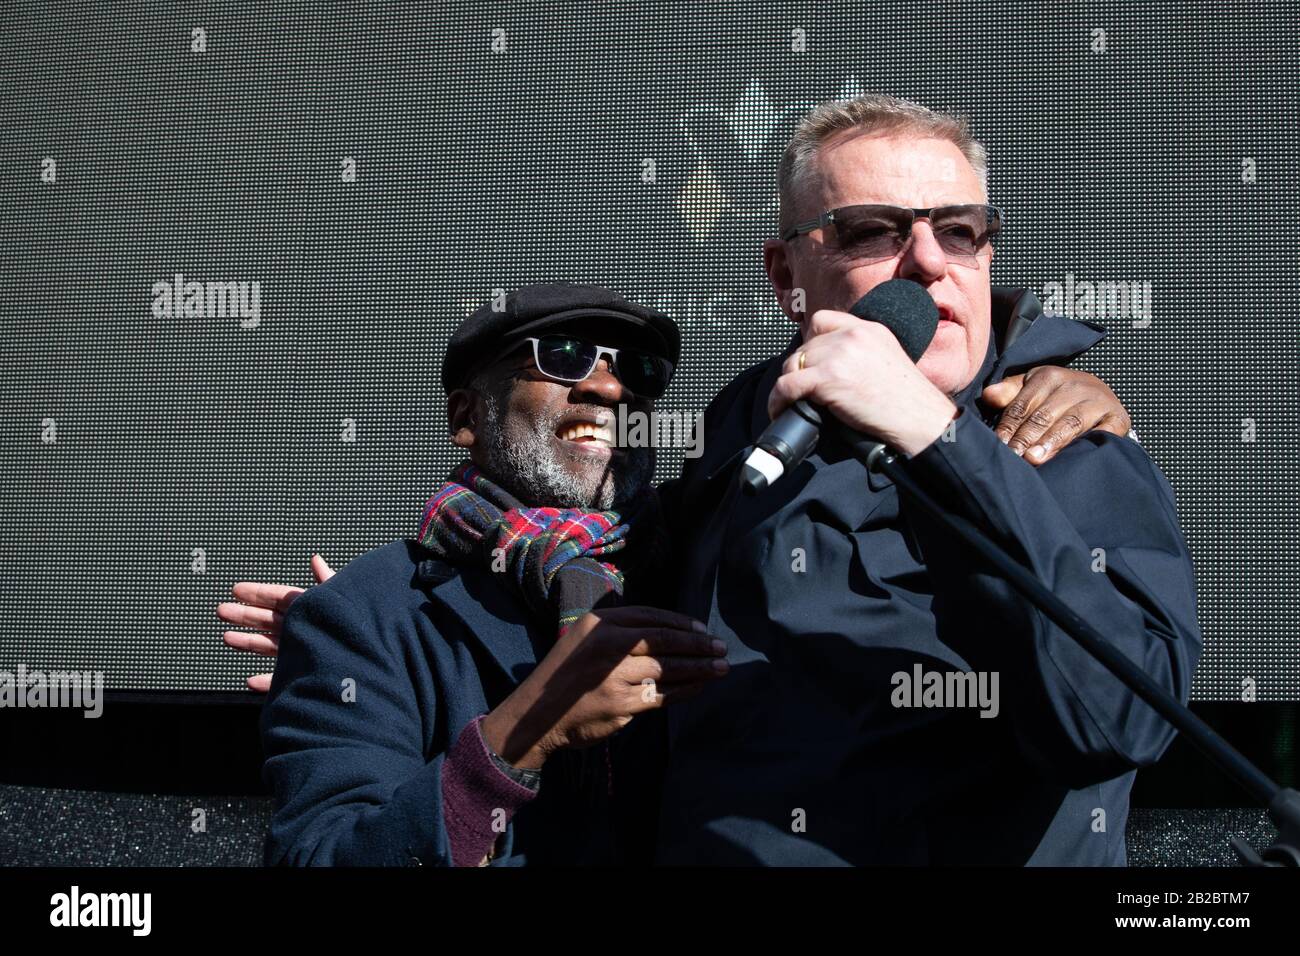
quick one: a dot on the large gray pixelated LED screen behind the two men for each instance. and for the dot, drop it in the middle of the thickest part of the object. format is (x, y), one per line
(366, 176)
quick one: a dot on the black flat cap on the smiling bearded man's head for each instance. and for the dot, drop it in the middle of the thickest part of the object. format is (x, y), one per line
(486, 334)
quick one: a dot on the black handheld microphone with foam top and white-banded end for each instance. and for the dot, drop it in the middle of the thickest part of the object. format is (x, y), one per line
(903, 308)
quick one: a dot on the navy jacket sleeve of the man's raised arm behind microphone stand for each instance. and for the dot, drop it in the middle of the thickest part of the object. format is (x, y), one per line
(1099, 527)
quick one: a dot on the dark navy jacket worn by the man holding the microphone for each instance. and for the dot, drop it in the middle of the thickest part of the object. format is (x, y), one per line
(799, 756)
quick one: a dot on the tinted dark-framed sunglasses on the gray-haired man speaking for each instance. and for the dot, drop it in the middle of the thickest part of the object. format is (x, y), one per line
(873, 233)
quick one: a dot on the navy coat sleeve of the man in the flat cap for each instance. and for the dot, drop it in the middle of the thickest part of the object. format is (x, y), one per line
(344, 738)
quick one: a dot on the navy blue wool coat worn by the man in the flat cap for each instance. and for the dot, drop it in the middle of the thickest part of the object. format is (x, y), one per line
(426, 650)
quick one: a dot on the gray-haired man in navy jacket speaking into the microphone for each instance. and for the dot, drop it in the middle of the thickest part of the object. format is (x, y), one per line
(851, 617)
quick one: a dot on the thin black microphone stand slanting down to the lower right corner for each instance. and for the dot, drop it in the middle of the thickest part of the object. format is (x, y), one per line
(1284, 803)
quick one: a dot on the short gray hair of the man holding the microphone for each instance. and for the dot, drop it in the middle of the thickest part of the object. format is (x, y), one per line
(870, 114)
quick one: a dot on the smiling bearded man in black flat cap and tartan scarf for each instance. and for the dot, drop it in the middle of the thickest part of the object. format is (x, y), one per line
(422, 690)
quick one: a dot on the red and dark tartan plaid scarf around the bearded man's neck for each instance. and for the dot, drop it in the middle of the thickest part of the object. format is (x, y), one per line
(561, 561)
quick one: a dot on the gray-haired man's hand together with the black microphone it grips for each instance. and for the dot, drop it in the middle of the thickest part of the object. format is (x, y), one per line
(861, 373)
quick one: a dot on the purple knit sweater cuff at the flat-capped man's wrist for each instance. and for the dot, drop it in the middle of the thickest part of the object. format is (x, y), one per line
(473, 791)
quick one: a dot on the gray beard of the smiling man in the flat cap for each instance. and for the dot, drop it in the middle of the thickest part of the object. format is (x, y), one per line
(523, 460)
